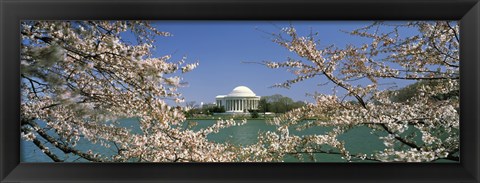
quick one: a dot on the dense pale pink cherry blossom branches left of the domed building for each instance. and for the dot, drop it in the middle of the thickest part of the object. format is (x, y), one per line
(79, 78)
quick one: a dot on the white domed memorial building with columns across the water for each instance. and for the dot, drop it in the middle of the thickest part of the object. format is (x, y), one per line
(240, 100)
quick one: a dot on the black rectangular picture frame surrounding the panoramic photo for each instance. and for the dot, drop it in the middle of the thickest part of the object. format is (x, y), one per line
(12, 12)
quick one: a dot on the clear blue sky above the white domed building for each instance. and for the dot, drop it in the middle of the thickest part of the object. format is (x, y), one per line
(221, 46)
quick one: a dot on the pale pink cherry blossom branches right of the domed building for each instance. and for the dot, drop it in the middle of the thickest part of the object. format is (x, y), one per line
(423, 127)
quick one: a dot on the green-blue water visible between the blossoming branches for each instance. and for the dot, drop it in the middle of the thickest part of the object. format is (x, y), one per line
(357, 140)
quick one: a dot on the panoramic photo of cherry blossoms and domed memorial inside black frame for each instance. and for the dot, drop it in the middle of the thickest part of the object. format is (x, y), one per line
(240, 91)
